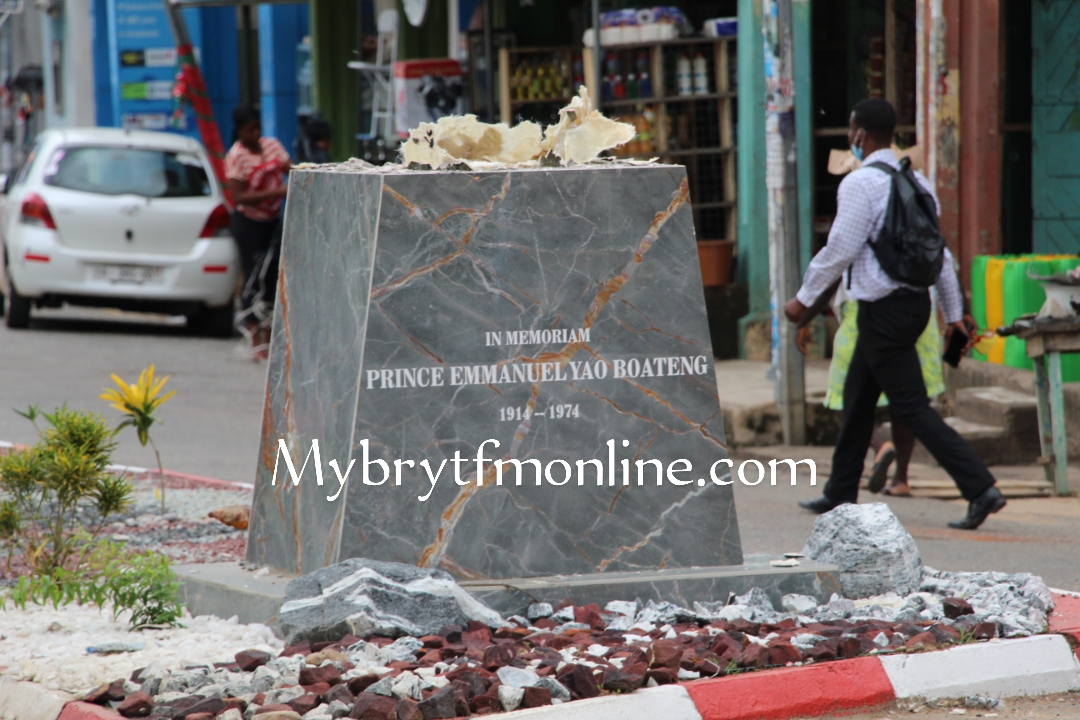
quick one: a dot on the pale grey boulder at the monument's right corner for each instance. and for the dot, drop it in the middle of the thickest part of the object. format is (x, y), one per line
(875, 553)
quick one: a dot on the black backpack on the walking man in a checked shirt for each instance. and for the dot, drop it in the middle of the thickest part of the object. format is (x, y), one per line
(911, 248)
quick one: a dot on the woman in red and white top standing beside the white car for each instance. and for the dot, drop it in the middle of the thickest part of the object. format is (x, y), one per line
(256, 168)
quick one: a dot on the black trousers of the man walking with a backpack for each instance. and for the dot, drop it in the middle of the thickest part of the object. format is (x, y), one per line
(886, 361)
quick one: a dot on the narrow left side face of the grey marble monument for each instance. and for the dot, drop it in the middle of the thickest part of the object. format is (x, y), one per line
(314, 375)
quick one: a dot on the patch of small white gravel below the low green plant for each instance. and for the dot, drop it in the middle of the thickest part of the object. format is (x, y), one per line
(58, 658)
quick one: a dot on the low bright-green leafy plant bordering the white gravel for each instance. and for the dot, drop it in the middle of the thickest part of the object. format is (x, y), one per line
(143, 583)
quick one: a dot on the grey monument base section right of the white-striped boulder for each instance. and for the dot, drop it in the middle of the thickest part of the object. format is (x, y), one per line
(680, 586)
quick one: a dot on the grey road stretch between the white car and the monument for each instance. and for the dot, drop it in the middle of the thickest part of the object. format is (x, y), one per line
(211, 428)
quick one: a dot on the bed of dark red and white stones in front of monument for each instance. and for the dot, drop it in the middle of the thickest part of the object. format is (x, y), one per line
(563, 654)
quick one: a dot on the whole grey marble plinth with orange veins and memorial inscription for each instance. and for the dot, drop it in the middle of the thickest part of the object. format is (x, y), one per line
(557, 311)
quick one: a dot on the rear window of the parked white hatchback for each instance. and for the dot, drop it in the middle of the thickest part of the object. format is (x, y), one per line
(128, 171)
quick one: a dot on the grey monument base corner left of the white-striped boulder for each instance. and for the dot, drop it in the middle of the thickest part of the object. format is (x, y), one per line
(226, 590)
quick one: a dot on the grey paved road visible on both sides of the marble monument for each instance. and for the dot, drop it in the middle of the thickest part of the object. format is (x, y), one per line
(212, 429)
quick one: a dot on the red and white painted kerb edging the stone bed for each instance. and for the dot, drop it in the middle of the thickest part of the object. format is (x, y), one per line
(1038, 665)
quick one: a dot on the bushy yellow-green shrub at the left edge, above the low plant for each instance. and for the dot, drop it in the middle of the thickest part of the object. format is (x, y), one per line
(51, 491)
